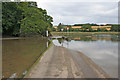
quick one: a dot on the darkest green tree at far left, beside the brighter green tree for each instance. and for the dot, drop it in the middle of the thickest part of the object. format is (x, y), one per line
(11, 15)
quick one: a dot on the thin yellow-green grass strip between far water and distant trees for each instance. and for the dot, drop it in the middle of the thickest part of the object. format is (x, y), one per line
(65, 33)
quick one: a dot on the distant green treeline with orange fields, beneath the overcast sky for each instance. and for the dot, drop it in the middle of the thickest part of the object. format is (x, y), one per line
(87, 28)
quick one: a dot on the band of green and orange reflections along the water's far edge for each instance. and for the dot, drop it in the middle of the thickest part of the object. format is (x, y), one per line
(113, 38)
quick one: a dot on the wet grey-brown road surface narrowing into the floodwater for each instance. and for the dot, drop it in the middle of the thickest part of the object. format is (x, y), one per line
(60, 62)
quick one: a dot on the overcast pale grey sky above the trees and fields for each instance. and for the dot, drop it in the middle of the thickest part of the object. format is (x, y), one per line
(81, 11)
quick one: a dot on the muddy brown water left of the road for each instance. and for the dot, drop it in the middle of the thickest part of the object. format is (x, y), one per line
(19, 54)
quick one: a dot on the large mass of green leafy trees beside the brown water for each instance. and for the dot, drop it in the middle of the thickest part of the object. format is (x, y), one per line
(25, 19)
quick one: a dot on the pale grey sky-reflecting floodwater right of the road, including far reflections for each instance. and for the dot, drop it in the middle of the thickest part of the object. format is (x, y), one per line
(102, 49)
